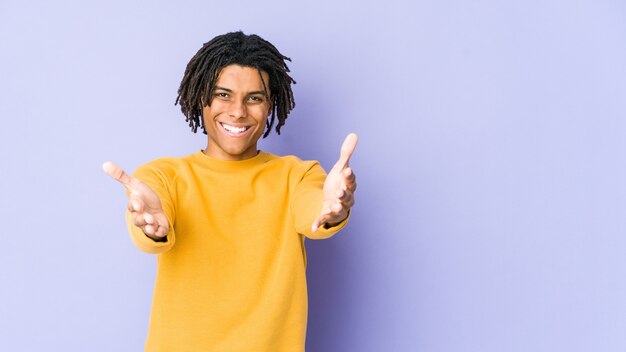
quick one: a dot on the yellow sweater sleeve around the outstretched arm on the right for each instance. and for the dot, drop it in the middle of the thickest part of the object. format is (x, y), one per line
(308, 201)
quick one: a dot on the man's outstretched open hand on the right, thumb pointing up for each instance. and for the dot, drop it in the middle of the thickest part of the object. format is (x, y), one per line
(339, 188)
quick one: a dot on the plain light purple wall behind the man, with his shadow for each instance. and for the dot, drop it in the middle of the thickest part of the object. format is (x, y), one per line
(492, 198)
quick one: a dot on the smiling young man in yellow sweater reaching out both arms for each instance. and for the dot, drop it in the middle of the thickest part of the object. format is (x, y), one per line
(228, 223)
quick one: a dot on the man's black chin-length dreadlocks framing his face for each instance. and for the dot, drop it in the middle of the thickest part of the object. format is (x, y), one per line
(237, 48)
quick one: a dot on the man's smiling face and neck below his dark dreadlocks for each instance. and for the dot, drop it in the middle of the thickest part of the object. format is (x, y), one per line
(236, 118)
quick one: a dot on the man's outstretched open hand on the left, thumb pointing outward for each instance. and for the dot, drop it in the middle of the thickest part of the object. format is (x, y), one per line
(144, 205)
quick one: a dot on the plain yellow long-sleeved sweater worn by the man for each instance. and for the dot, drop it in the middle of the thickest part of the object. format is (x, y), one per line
(231, 275)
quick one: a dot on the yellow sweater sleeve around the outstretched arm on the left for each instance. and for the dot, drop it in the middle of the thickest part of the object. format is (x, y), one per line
(158, 181)
